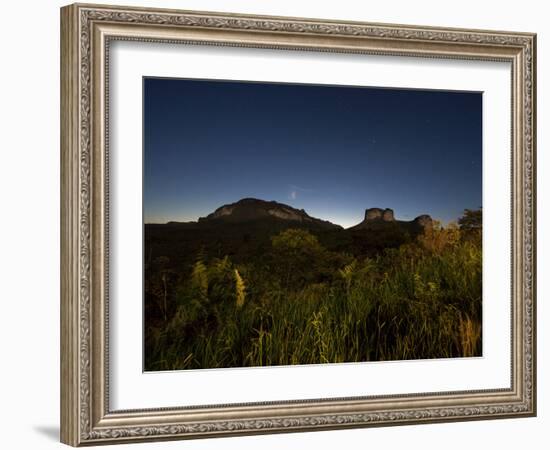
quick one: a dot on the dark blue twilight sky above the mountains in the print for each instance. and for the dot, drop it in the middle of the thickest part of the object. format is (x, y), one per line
(331, 150)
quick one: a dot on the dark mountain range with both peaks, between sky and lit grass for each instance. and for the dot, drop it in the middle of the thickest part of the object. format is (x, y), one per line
(244, 230)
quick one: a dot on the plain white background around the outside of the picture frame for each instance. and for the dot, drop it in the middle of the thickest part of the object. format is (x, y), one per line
(29, 222)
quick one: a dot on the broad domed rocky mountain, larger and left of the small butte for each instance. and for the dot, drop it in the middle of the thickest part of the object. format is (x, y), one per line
(252, 209)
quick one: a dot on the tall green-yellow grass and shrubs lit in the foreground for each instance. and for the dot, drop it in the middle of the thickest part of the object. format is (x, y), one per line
(422, 300)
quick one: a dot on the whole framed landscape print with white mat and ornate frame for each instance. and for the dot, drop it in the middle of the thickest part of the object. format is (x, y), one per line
(275, 224)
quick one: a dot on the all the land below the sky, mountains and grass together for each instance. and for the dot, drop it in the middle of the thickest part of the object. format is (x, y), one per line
(259, 283)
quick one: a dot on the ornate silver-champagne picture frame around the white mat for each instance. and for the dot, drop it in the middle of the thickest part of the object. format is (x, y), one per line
(86, 31)
